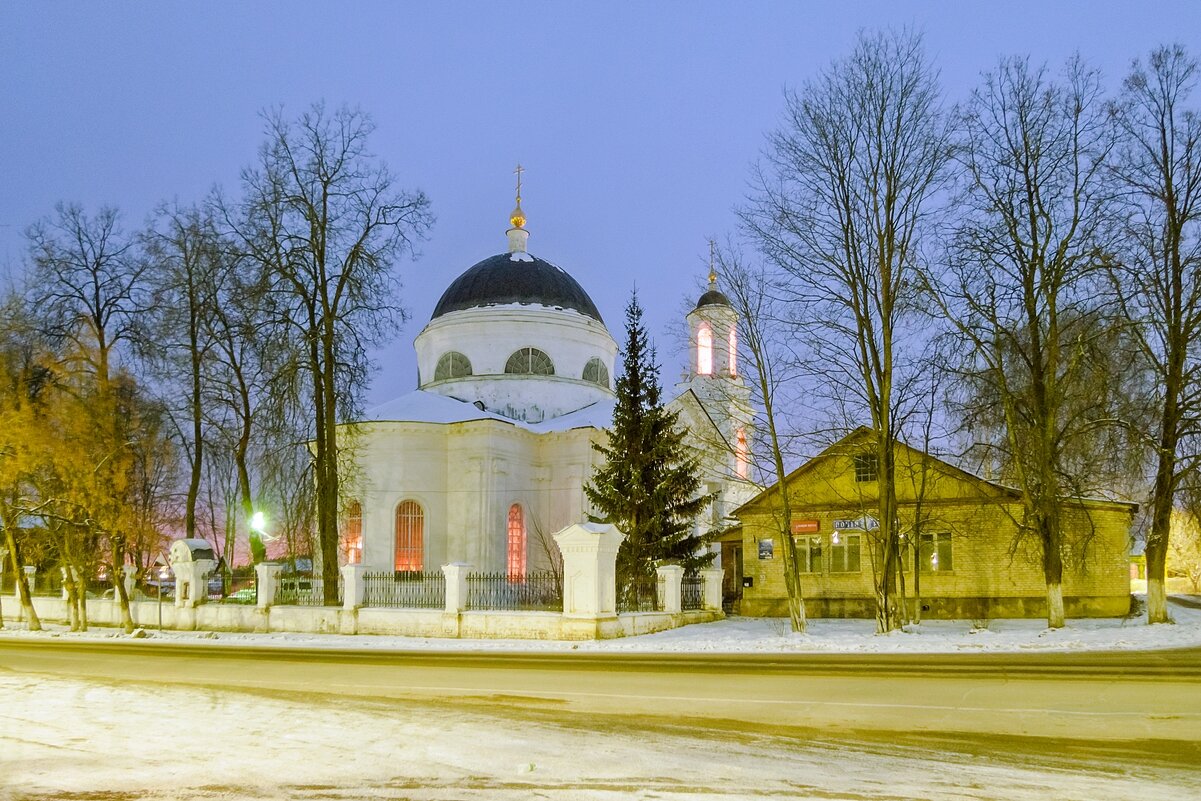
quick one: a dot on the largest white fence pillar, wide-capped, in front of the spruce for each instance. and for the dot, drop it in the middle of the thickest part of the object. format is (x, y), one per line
(590, 559)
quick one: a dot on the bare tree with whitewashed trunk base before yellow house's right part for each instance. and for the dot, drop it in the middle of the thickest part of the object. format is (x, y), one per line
(1023, 292)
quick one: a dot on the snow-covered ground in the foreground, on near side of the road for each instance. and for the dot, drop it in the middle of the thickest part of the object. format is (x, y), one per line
(65, 739)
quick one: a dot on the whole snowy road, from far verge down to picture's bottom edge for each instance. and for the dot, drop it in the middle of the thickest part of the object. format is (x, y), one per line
(91, 722)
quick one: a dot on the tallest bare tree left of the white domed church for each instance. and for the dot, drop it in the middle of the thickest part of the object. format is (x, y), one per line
(326, 223)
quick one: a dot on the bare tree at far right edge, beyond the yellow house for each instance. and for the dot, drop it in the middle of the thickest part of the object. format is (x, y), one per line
(1158, 276)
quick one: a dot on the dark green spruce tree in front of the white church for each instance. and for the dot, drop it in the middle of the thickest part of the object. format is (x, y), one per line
(649, 486)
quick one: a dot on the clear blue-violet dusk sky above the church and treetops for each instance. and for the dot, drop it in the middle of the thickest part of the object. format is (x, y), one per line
(637, 124)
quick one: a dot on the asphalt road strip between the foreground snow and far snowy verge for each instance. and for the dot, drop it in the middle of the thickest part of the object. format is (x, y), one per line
(1103, 698)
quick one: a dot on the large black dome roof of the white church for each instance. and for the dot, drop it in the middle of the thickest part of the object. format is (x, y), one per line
(503, 280)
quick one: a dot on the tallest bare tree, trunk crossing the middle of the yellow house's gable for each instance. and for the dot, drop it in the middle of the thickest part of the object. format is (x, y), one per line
(843, 205)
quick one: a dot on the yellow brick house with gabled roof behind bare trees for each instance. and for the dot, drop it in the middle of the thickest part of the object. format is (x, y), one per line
(971, 561)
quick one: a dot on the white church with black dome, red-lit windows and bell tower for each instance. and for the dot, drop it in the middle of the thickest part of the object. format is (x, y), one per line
(489, 456)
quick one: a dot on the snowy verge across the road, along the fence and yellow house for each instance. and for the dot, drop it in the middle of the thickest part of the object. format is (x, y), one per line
(760, 636)
